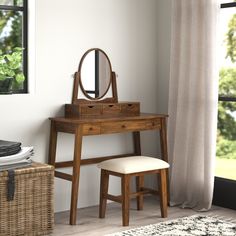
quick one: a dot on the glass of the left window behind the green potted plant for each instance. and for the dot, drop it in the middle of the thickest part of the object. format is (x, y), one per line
(11, 39)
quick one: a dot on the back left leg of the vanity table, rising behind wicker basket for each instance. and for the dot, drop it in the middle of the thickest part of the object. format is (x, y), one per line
(52, 144)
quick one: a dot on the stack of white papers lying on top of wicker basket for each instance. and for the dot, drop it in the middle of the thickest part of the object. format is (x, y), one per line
(18, 160)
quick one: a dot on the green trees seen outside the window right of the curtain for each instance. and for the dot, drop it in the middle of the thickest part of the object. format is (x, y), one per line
(226, 138)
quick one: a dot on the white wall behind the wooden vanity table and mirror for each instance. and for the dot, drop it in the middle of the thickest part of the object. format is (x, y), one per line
(136, 36)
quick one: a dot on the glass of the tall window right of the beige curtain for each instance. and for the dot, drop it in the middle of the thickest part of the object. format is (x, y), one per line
(226, 135)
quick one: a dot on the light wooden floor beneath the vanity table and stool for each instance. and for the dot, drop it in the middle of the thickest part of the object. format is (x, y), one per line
(89, 224)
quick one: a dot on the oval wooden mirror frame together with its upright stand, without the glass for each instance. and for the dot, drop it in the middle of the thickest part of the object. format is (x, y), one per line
(78, 83)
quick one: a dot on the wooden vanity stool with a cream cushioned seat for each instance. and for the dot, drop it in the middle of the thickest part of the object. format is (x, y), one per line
(126, 167)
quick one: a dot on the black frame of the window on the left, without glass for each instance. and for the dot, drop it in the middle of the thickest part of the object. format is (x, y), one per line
(24, 10)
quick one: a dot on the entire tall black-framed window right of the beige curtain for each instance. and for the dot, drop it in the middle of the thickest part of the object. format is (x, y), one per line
(225, 181)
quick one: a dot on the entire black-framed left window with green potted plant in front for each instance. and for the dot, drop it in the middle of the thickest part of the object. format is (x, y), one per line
(13, 46)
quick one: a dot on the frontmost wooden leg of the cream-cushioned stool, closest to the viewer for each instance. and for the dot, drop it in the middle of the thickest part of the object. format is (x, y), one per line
(125, 182)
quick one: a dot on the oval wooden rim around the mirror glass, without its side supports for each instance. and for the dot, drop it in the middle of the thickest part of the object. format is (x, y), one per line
(80, 69)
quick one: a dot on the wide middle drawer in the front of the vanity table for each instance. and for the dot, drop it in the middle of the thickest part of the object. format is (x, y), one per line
(122, 126)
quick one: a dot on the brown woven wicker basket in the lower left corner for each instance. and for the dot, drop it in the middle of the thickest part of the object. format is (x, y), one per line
(31, 211)
